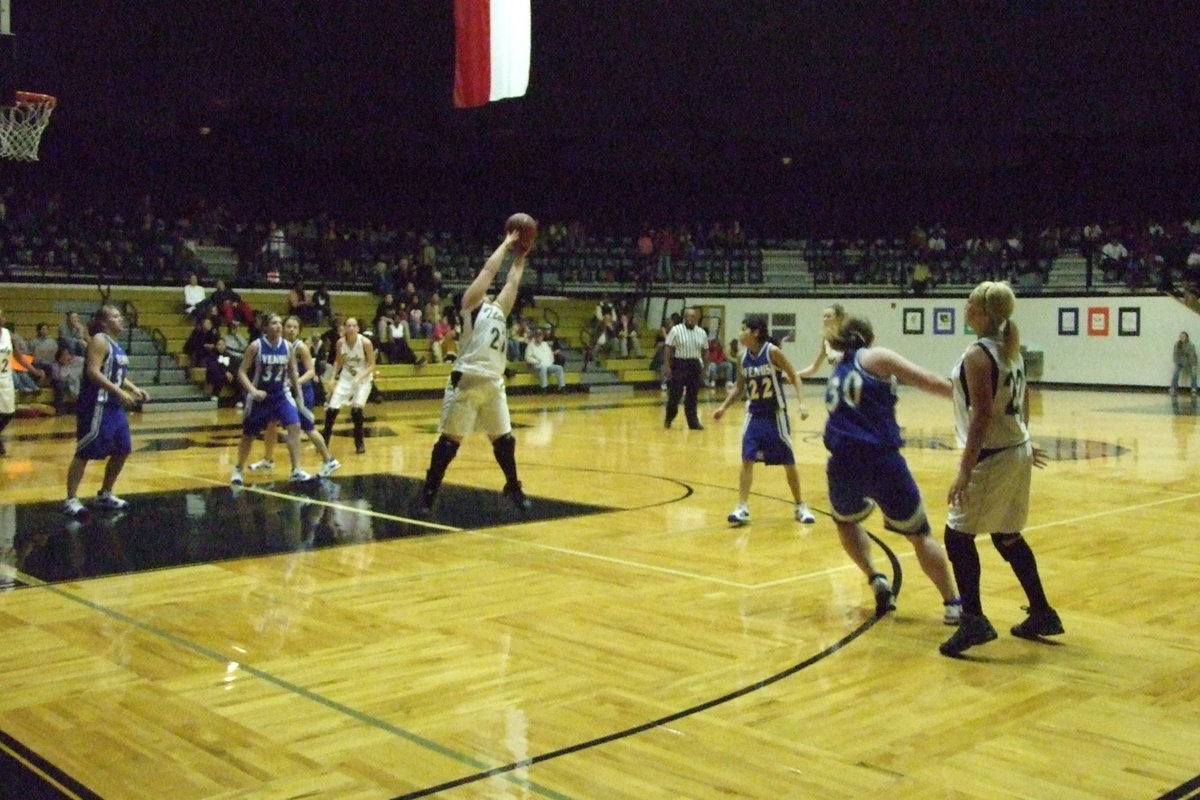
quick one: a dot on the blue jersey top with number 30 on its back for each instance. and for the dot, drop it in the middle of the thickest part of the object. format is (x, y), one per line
(862, 407)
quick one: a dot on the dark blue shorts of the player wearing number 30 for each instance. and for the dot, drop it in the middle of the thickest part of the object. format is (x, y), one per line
(862, 478)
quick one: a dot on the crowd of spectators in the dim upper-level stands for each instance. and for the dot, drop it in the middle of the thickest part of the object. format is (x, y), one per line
(151, 244)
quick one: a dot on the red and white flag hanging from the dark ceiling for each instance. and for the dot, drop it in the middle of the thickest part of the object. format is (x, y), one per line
(491, 51)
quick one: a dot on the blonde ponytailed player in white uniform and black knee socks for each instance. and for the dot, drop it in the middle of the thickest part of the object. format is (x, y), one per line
(992, 491)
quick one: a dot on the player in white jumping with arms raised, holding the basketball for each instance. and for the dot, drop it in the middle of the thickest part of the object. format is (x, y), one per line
(475, 398)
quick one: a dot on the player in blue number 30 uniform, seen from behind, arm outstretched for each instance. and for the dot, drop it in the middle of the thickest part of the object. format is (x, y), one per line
(866, 467)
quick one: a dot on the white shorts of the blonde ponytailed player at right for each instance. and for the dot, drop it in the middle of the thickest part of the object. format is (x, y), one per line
(999, 494)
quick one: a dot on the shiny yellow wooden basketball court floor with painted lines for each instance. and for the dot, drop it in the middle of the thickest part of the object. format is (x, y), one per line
(621, 642)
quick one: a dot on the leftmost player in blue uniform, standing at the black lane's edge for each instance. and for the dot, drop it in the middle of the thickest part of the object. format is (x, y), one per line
(103, 430)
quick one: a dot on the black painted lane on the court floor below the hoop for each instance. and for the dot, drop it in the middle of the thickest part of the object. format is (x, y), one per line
(201, 526)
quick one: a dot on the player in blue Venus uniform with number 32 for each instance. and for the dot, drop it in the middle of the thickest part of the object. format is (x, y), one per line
(269, 396)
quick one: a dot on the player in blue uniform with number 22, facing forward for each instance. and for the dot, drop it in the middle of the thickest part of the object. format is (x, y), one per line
(767, 432)
